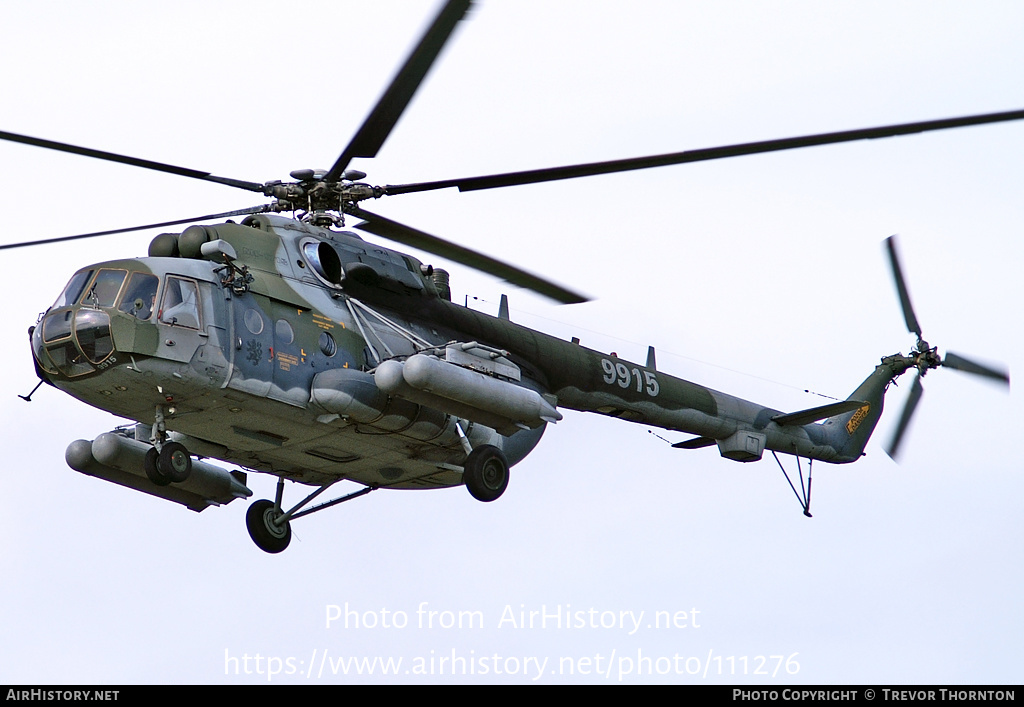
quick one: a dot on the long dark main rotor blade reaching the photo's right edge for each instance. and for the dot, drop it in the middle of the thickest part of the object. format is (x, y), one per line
(570, 173)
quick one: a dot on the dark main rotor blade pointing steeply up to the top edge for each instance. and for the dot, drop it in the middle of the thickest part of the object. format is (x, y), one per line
(386, 115)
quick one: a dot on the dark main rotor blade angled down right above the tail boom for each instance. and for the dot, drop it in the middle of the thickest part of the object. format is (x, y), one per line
(446, 249)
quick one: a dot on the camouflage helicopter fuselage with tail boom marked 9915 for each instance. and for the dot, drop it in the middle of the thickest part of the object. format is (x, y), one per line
(270, 363)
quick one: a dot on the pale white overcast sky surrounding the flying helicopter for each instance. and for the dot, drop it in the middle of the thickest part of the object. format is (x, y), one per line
(759, 276)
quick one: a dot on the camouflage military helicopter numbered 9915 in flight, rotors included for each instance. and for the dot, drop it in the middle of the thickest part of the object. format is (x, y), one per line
(293, 348)
